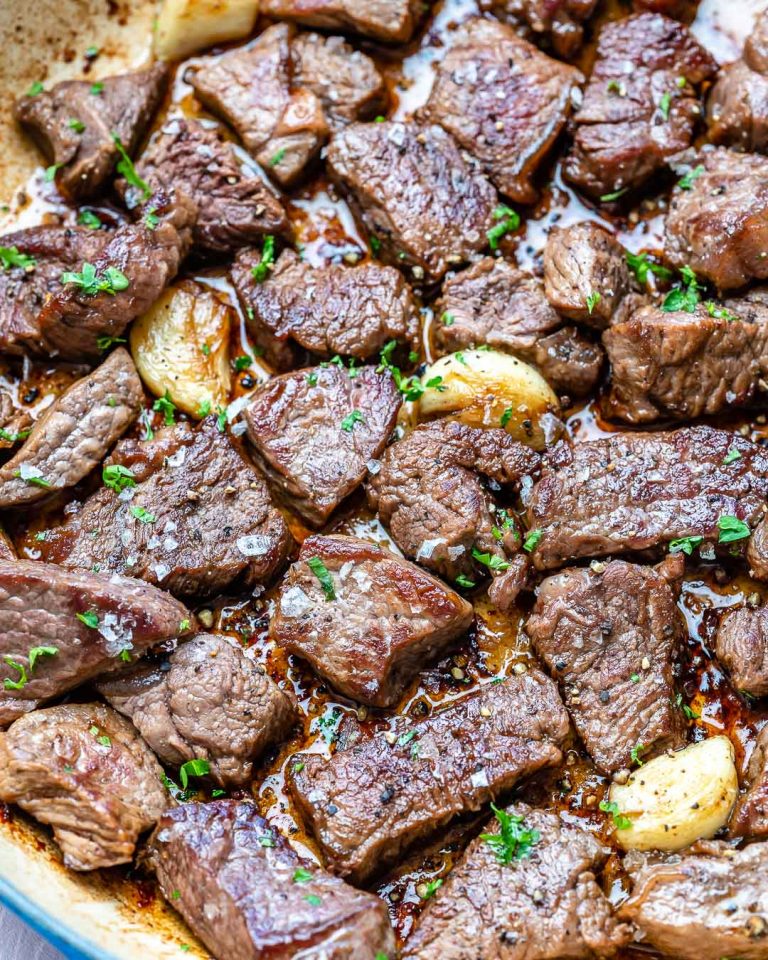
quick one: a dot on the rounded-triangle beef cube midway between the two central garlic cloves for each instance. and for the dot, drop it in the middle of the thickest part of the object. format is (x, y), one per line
(314, 432)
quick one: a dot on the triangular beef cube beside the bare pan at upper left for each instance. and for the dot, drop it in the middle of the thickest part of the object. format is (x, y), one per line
(76, 124)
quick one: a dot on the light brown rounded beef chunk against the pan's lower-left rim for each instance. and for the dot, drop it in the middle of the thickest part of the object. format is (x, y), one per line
(83, 769)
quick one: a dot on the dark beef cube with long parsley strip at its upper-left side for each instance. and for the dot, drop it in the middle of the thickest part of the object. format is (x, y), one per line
(235, 206)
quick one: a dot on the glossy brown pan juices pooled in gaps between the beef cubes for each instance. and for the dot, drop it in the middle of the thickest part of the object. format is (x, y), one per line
(326, 232)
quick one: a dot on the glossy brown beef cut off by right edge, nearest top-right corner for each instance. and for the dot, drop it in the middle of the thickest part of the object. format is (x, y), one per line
(737, 106)
